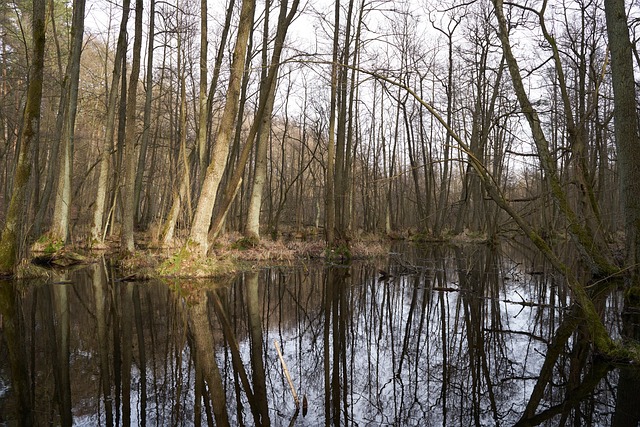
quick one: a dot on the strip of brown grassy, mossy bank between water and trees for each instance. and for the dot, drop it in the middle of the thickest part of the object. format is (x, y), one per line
(229, 254)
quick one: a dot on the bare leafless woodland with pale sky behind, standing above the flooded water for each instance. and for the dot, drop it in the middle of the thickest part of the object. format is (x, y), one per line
(187, 120)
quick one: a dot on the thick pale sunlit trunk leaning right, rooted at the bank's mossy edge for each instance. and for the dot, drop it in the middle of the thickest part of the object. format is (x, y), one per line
(204, 209)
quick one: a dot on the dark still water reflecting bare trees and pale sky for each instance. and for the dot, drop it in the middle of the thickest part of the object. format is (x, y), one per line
(450, 337)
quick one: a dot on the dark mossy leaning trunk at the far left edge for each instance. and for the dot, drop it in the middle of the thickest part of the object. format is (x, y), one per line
(10, 240)
